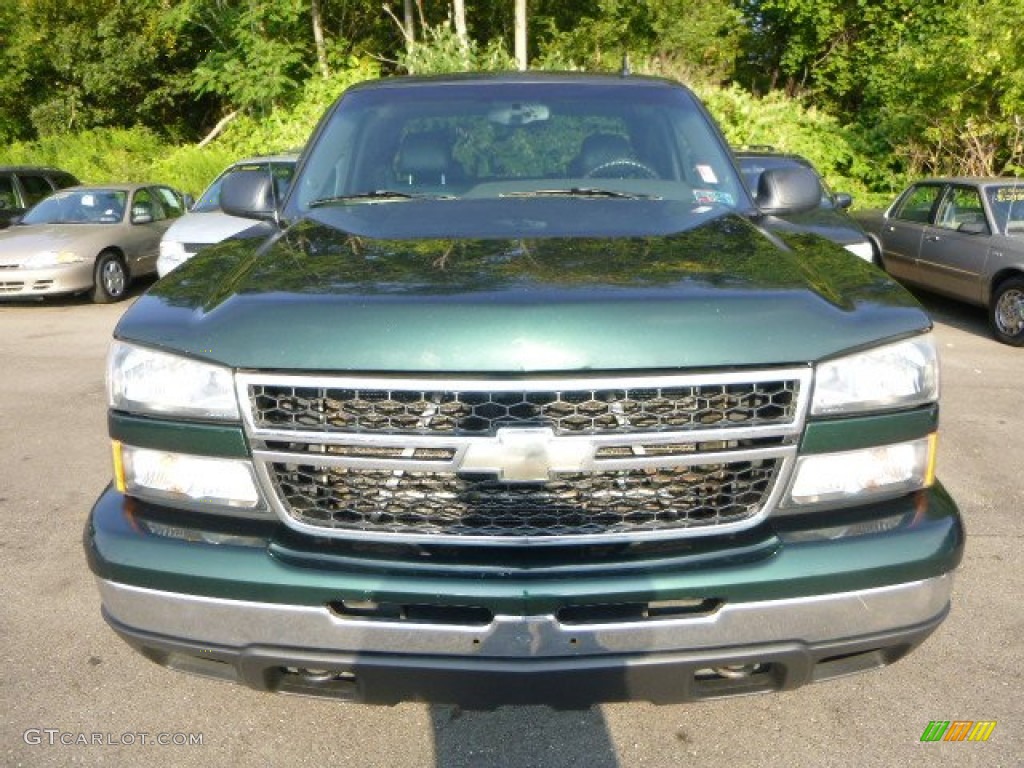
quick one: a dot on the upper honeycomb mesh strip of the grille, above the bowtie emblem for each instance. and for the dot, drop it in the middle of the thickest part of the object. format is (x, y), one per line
(483, 413)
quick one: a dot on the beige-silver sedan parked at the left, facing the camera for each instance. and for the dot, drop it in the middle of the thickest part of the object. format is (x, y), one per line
(88, 239)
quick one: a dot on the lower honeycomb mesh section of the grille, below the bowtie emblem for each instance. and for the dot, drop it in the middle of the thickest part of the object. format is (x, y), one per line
(578, 503)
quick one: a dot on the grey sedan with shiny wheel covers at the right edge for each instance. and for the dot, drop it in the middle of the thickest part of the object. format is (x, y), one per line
(962, 238)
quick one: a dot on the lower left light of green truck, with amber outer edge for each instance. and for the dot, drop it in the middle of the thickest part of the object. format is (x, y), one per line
(196, 481)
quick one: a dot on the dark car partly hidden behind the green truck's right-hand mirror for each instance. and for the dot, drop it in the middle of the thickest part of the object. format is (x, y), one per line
(830, 220)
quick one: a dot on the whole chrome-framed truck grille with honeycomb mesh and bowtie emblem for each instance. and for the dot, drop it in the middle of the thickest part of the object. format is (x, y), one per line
(525, 461)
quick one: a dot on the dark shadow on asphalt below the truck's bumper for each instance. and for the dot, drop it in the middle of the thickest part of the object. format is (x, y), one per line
(522, 737)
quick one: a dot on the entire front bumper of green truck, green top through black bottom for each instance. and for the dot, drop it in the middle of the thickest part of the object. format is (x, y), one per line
(772, 611)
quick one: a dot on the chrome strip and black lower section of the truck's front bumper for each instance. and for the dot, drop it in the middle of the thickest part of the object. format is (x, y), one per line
(743, 650)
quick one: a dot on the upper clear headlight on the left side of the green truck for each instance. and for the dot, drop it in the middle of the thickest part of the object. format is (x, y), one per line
(144, 380)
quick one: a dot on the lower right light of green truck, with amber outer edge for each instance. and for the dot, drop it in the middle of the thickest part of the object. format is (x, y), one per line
(857, 476)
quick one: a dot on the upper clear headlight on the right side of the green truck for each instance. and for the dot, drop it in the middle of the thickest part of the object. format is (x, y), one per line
(894, 376)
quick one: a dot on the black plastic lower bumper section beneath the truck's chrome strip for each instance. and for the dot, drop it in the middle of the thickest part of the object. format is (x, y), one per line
(578, 682)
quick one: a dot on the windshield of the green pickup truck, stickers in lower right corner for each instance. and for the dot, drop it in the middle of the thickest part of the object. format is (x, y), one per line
(514, 141)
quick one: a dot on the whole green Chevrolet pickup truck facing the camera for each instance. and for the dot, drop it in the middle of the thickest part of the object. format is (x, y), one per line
(515, 400)
